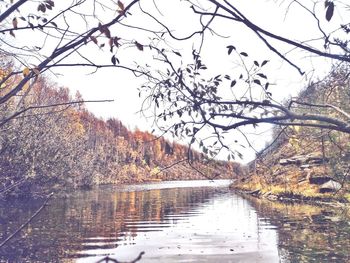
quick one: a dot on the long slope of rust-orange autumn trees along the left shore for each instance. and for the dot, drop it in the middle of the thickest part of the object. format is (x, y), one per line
(62, 146)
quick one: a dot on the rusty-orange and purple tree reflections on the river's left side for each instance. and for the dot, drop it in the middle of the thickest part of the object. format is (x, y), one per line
(71, 225)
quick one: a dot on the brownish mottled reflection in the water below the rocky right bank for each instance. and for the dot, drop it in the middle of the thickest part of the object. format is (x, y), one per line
(308, 233)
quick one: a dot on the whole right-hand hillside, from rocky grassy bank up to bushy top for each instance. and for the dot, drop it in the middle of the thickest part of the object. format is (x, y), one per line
(306, 162)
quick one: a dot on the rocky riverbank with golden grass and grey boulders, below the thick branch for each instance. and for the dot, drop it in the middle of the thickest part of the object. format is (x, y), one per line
(297, 172)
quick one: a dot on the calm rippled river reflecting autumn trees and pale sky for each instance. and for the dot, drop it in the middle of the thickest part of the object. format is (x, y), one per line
(184, 221)
